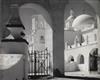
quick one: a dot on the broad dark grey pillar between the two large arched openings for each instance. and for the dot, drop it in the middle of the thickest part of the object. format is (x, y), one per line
(57, 16)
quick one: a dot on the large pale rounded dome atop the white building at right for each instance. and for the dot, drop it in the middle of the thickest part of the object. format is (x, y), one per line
(83, 21)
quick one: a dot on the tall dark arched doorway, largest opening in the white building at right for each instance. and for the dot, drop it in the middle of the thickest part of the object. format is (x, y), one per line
(93, 58)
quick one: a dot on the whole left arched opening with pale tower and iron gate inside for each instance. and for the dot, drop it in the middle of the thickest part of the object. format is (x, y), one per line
(38, 26)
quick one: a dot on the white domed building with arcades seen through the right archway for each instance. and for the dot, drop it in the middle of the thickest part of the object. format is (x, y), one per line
(82, 46)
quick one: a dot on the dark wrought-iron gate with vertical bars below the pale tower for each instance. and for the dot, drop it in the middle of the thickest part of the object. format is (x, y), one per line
(39, 63)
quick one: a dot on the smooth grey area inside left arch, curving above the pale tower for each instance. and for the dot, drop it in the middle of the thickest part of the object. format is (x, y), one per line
(26, 12)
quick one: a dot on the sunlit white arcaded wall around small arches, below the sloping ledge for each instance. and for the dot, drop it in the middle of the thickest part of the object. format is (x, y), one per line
(84, 50)
